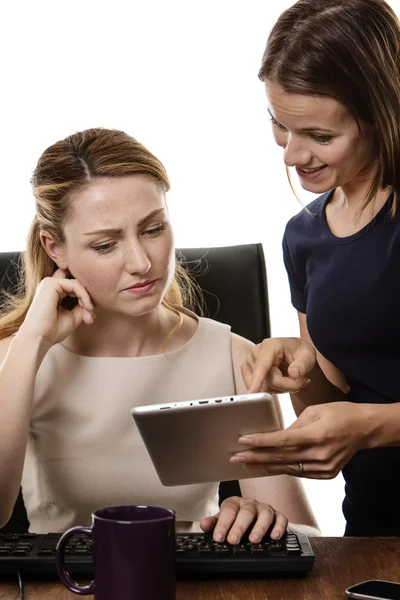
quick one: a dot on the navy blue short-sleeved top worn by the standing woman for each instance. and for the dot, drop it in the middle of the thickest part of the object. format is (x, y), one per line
(349, 288)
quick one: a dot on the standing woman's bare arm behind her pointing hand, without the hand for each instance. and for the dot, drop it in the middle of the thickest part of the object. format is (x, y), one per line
(327, 382)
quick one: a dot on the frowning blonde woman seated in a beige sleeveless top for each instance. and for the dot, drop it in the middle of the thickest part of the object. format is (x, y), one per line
(99, 327)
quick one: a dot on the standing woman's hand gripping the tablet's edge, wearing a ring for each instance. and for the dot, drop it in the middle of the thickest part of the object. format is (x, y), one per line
(318, 445)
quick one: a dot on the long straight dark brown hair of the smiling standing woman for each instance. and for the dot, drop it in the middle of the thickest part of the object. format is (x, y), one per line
(348, 50)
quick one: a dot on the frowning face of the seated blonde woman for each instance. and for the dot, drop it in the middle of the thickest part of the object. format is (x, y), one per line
(119, 244)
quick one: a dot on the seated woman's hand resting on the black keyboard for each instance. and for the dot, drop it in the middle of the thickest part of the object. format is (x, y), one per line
(237, 514)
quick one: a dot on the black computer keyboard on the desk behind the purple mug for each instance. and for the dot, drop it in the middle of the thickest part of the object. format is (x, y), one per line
(197, 555)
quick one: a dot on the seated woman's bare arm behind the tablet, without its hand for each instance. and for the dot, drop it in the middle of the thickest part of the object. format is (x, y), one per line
(283, 492)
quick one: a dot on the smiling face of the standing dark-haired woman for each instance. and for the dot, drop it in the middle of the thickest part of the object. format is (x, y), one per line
(320, 139)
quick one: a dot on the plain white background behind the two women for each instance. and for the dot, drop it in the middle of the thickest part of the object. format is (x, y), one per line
(181, 77)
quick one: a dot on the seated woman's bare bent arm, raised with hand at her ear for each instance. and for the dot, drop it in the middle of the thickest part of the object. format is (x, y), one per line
(46, 323)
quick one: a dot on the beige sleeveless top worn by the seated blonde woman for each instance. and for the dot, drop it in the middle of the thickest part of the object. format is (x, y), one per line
(84, 451)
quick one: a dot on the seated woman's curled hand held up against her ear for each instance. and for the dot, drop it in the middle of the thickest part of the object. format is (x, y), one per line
(47, 319)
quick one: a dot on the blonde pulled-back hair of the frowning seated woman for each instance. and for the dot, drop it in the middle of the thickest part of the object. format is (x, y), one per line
(68, 166)
